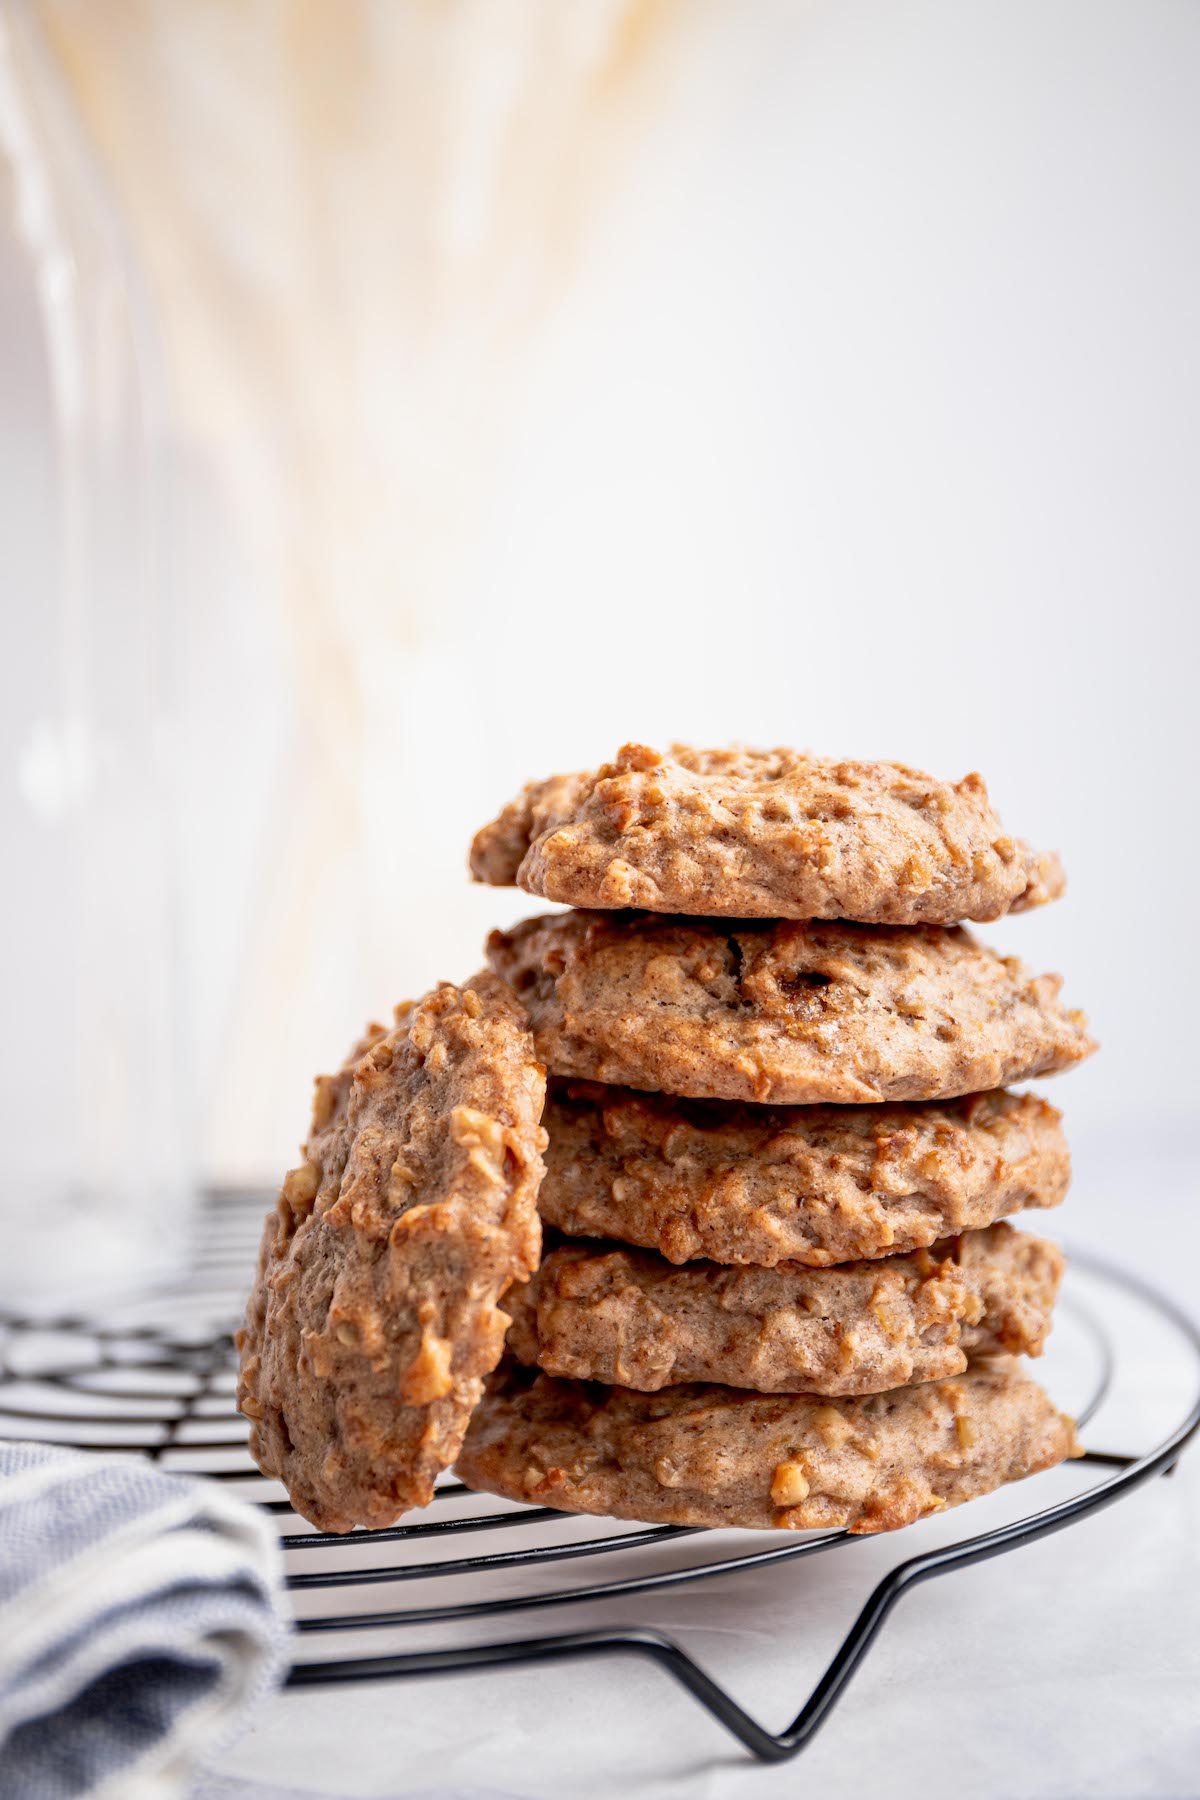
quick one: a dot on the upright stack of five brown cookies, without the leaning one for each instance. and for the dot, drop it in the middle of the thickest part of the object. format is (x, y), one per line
(780, 1147)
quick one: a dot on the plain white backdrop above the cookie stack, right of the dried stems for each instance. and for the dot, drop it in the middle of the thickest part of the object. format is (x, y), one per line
(886, 440)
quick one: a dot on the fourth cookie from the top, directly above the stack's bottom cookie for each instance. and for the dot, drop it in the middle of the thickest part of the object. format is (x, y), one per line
(625, 1317)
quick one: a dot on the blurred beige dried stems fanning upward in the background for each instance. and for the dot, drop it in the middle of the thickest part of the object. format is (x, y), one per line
(355, 220)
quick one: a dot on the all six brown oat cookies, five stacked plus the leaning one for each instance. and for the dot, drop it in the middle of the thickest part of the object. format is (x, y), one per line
(776, 1156)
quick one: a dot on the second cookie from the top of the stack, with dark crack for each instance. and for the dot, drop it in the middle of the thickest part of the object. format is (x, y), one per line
(784, 1012)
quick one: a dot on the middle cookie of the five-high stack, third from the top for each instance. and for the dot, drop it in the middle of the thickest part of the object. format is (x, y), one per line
(814, 1185)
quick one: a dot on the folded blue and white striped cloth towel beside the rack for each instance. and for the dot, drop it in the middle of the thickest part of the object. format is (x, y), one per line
(139, 1624)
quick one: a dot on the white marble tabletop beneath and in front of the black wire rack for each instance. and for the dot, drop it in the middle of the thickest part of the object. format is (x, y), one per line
(1068, 1668)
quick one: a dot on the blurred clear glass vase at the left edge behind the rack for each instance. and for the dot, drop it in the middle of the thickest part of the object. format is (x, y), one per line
(98, 1183)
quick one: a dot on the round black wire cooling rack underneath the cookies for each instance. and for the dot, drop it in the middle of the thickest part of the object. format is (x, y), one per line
(157, 1376)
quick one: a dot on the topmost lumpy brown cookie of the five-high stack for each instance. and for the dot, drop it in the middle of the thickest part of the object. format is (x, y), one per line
(766, 834)
